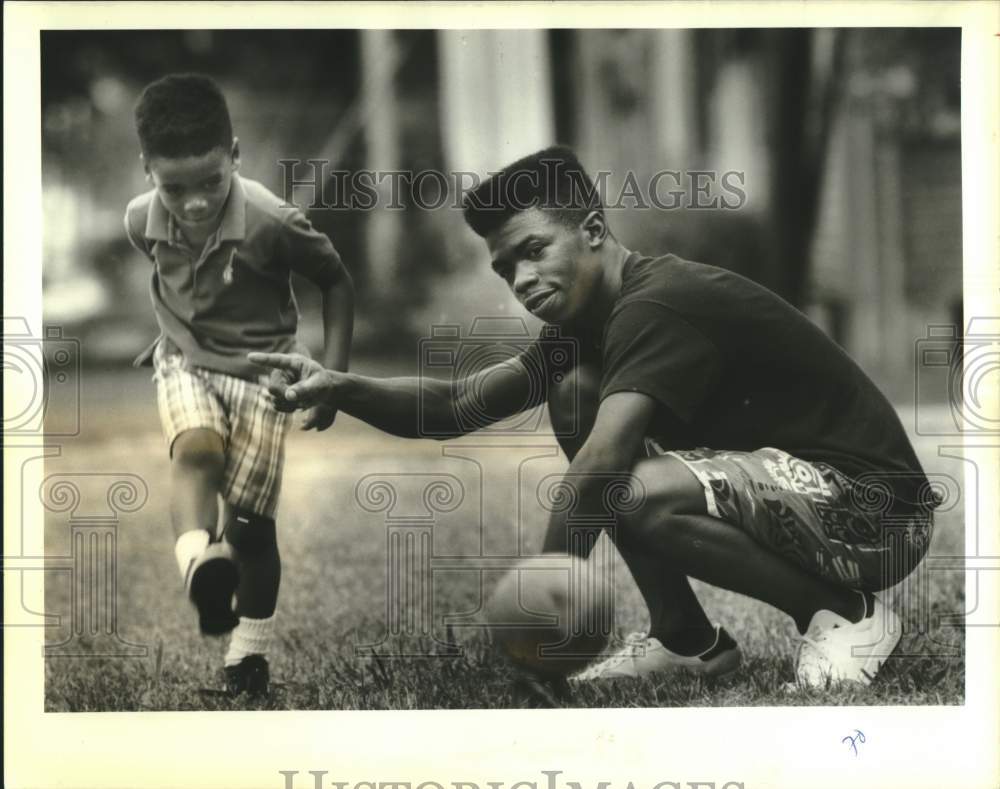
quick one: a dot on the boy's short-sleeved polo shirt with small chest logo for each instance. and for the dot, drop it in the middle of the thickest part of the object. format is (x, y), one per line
(235, 295)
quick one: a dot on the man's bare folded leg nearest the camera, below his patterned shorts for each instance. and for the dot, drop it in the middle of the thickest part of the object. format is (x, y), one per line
(674, 524)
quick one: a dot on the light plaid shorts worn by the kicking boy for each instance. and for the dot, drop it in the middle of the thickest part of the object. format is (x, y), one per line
(252, 432)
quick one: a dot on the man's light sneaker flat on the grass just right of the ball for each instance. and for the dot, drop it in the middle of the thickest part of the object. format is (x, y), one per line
(642, 656)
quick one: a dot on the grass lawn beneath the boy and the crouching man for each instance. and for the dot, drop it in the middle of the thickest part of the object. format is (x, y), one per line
(334, 598)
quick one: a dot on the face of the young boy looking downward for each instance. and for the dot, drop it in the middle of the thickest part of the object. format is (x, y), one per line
(194, 188)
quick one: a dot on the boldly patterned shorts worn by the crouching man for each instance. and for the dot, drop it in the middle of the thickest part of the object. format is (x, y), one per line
(809, 513)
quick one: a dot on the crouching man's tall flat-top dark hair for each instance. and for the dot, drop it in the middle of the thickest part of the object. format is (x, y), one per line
(551, 179)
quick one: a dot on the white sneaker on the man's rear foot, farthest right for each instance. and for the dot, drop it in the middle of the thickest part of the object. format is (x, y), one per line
(836, 650)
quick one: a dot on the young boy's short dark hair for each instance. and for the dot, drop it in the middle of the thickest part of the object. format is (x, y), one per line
(182, 115)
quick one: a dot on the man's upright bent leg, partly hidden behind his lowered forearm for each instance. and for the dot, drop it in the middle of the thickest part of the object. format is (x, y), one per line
(676, 617)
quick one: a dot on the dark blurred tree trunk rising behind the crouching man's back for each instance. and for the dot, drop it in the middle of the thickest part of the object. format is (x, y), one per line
(804, 69)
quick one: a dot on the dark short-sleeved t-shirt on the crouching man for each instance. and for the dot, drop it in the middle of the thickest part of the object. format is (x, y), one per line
(733, 366)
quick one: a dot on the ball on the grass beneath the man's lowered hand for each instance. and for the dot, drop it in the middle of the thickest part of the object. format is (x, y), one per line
(552, 614)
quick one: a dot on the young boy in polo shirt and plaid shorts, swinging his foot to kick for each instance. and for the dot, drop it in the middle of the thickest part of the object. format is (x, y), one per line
(222, 249)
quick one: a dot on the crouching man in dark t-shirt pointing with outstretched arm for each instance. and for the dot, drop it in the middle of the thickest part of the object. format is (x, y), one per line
(758, 446)
